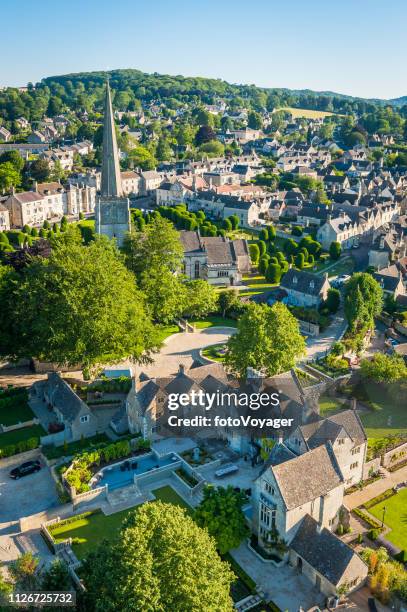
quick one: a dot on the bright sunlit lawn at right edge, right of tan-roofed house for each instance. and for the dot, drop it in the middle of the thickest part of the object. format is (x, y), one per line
(395, 517)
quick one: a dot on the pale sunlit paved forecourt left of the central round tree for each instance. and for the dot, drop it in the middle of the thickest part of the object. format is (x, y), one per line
(184, 349)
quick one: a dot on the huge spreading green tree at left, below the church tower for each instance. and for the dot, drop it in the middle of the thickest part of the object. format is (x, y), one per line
(80, 305)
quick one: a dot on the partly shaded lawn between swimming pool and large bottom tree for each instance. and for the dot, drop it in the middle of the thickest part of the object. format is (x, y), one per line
(90, 530)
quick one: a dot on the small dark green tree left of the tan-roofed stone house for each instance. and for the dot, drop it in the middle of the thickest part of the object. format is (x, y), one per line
(220, 512)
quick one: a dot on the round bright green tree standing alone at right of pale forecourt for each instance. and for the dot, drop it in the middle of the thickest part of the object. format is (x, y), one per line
(267, 339)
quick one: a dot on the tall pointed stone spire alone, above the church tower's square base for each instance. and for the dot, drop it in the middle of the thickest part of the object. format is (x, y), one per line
(111, 179)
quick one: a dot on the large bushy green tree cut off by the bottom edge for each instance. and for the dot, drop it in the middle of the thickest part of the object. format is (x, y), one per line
(161, 560)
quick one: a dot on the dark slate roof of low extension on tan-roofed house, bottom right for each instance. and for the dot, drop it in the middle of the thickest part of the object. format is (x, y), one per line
(326, 553)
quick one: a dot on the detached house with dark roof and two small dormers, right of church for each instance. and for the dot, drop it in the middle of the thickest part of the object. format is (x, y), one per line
(305, 289)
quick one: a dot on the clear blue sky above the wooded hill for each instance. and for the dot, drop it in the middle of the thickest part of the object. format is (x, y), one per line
(357, 47)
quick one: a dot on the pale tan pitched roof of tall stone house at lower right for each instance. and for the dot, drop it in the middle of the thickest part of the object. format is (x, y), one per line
(308, 476)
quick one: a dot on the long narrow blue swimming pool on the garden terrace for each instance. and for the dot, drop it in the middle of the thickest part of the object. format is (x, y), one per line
(115, 477)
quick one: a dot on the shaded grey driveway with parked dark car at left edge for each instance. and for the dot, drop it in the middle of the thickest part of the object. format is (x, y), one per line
(26, 496)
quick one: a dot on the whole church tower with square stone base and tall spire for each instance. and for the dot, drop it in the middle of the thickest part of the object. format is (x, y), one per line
(112, 210)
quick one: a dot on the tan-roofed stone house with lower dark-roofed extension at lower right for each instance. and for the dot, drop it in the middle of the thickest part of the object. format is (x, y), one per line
(300, 499)
